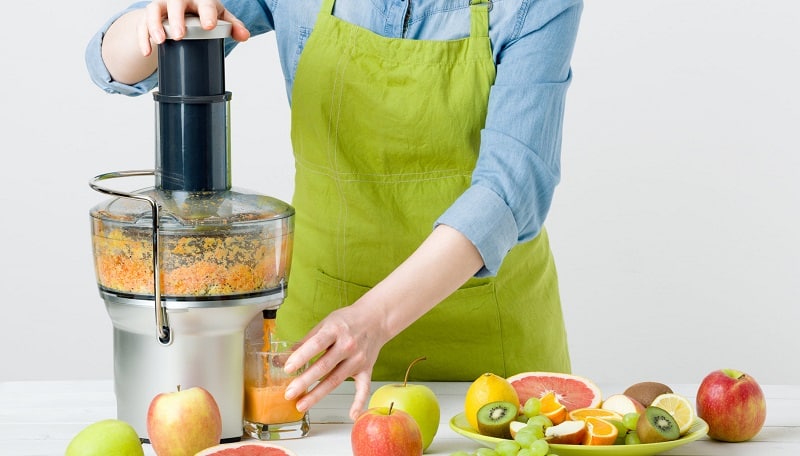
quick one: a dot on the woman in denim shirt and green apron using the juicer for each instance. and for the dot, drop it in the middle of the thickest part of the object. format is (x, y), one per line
(427, 140)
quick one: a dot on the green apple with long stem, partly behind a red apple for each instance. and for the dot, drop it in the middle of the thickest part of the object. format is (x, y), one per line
(419, 401)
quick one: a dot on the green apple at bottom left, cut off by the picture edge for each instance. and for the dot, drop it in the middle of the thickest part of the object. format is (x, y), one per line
(104, 438)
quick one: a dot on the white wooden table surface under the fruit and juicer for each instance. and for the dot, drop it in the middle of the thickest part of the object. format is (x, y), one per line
(40, 418)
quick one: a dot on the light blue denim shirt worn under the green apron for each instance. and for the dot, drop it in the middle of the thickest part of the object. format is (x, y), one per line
(519, 161)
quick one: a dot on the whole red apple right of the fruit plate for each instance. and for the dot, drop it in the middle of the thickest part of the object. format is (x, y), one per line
(732, 404)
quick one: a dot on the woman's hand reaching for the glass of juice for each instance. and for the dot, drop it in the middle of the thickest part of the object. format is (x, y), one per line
(349, 340)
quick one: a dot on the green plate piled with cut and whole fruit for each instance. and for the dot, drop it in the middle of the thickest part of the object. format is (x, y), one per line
(545, 413)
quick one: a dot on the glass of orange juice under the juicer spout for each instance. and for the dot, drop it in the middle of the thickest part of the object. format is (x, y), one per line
(267, 415)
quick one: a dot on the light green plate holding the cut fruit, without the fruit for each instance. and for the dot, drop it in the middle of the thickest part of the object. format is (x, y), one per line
(699, 428)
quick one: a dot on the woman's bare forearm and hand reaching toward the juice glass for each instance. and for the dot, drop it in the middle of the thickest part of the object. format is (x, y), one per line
(352, 336)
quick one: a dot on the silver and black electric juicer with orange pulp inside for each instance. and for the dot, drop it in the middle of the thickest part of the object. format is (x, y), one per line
(186, 265)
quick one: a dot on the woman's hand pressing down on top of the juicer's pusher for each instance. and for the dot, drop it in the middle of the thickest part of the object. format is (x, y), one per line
(151, 30)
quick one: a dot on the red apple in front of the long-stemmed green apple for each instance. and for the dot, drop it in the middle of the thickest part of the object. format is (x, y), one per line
(385, 431)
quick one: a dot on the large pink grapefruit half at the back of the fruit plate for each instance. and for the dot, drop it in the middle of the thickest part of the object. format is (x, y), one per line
(572, 391)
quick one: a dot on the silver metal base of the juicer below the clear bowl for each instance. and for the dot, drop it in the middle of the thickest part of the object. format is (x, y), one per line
(208, 351)
